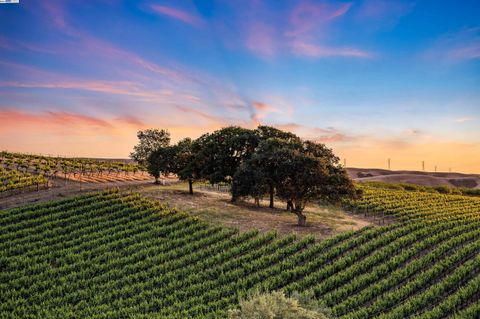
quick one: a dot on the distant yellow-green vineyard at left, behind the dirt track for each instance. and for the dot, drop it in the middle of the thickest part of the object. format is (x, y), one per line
(16, 167)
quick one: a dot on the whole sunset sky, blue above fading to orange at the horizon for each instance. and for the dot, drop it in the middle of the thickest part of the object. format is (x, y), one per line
(372, 79)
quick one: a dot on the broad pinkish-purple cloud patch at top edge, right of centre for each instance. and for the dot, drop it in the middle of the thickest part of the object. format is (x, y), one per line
(301, 30)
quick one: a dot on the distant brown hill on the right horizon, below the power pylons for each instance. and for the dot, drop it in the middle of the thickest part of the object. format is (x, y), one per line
(415, 177)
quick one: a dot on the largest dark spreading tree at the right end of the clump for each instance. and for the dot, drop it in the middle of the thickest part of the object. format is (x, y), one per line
(301, 172)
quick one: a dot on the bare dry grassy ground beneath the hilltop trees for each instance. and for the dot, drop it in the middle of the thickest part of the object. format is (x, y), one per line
(215, 207)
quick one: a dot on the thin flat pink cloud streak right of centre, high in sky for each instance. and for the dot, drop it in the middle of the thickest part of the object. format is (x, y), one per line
(317, 51)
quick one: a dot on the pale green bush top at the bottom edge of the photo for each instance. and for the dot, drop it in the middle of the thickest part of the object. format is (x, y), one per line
(273, 305)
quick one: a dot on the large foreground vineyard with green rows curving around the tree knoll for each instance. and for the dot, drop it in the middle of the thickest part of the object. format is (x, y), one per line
(112, 255)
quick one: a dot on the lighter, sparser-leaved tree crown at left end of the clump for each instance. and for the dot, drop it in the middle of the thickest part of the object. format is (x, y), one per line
(149, 141)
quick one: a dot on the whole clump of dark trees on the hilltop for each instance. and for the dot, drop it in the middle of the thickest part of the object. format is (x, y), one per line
(256, 163)
